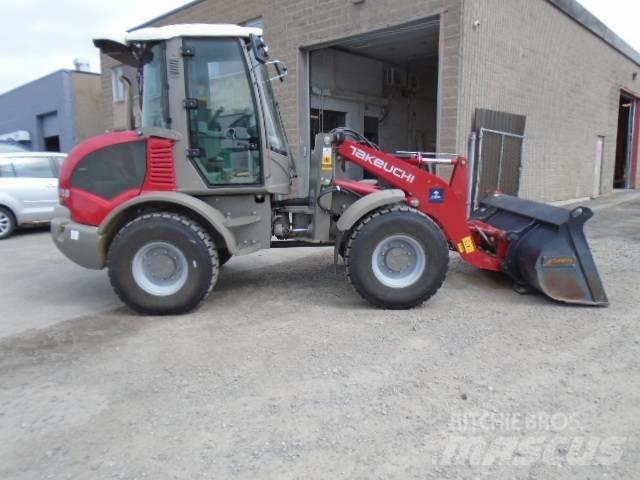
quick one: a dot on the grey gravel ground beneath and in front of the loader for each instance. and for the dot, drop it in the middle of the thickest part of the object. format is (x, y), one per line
(285, 373)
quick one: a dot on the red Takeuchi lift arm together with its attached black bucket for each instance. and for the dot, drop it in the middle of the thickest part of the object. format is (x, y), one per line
(540, 247)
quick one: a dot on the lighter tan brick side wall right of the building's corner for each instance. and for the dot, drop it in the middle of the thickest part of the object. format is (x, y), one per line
(529, 58)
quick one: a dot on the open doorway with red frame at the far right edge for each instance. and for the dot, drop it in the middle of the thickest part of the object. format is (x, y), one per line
(626, 154)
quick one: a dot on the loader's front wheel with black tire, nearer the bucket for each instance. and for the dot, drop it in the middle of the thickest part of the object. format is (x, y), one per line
(397, 258)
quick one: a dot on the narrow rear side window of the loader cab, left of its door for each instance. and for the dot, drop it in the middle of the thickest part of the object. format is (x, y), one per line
(152, 83)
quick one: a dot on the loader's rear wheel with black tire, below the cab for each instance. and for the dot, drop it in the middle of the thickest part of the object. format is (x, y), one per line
(163, 264)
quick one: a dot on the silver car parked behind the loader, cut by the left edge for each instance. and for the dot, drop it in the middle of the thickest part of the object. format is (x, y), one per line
(28, 189)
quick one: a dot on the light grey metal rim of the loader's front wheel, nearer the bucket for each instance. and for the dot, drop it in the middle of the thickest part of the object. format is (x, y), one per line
(398, 261)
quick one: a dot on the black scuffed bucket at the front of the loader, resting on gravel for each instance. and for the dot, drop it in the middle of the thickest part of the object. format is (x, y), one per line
(548, 251)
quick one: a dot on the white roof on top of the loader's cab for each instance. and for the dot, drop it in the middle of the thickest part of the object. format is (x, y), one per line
(151, 34)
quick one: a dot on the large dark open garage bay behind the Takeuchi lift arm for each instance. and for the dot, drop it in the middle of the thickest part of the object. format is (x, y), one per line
(383, 84)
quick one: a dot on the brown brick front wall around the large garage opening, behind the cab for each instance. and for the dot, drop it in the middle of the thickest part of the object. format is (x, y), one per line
(290, 24)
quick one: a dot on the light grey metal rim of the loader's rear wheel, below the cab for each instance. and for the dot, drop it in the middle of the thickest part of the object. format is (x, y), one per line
(160, 269)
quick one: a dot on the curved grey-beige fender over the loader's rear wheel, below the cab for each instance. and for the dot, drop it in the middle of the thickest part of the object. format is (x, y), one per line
(209, 214)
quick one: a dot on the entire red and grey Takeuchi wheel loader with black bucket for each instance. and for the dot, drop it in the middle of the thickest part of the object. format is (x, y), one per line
(209, 175)
